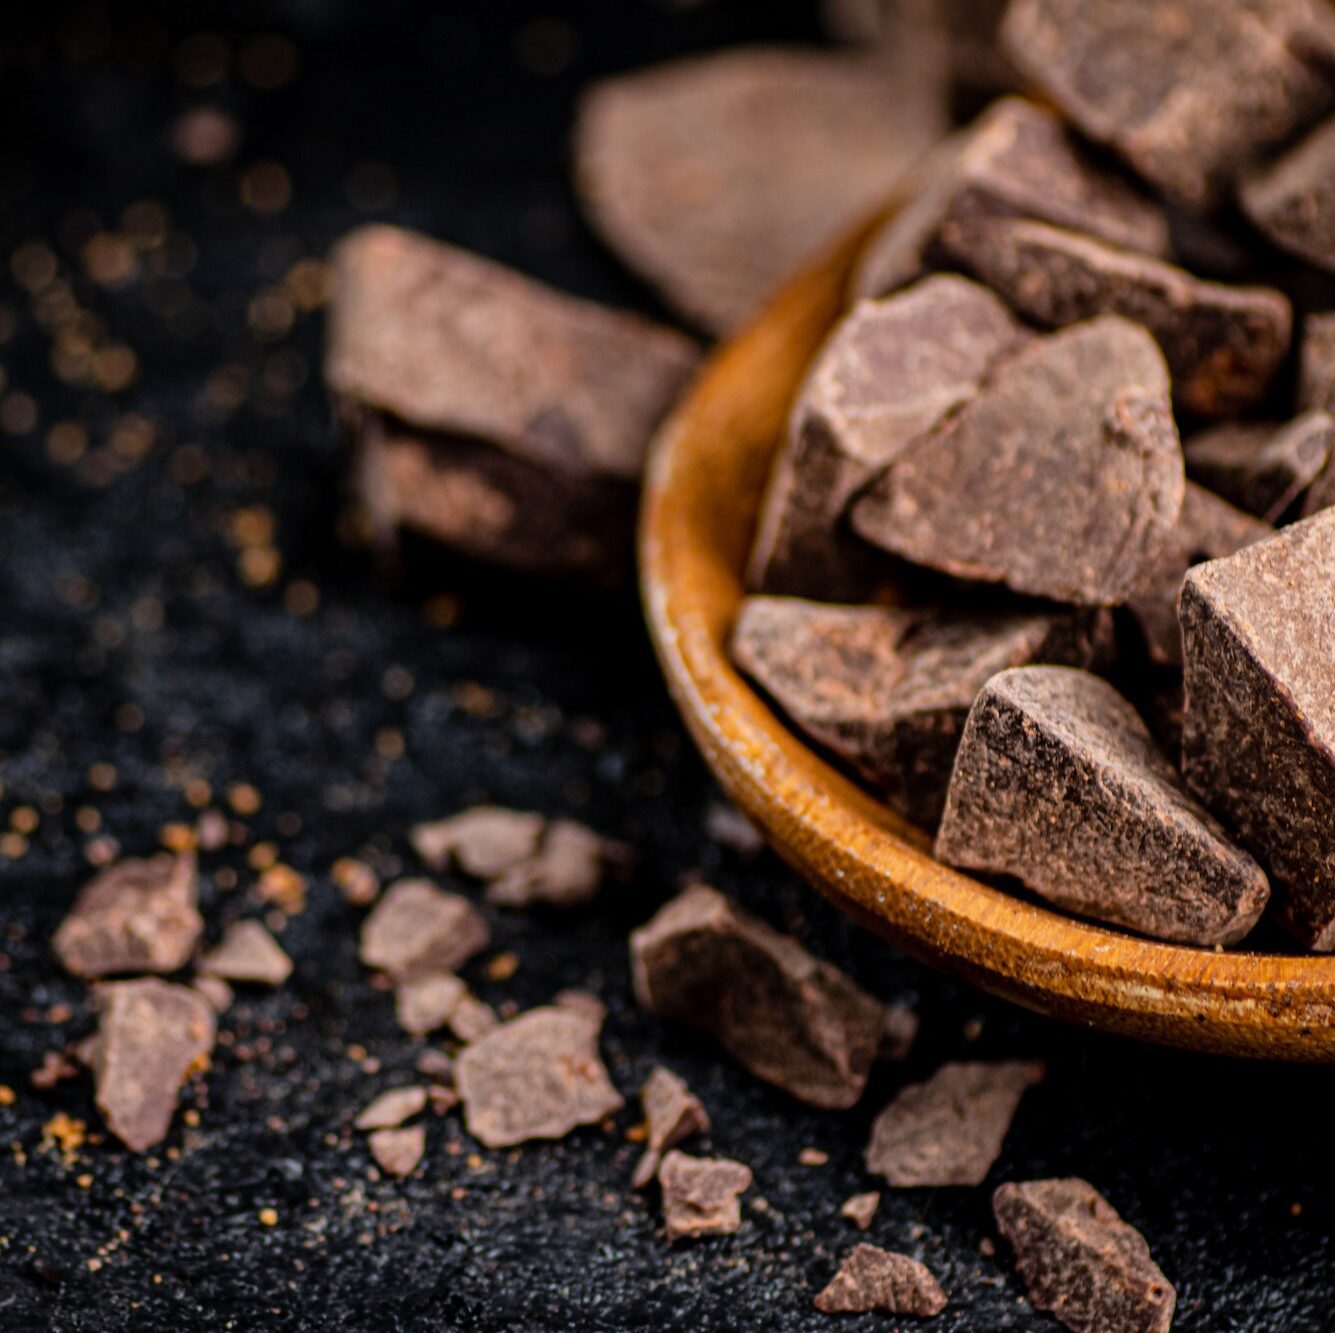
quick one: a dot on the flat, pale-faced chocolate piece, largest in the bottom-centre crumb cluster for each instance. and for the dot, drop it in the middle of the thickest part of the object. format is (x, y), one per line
(536, 1077)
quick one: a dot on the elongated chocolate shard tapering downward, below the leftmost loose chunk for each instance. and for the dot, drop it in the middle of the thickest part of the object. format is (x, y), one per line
(152, 1037)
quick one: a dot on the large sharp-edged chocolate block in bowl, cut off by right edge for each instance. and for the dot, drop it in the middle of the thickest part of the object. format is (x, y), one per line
(1260, 725)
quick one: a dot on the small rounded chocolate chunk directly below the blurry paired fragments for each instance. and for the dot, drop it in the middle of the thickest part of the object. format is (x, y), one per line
(416, 928)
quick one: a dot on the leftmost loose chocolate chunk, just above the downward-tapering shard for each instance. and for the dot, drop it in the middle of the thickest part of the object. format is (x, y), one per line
(138, 916)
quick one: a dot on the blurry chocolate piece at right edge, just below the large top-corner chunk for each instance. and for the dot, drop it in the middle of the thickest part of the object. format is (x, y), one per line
(1293, 201)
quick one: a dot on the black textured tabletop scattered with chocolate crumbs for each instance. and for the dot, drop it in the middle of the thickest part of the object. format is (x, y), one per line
(1224, 1167)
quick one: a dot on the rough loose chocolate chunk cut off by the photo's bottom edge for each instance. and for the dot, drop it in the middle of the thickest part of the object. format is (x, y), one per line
(1081, 1262)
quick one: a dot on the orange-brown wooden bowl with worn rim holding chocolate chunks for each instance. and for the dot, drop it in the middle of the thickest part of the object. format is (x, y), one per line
(703, 496)
